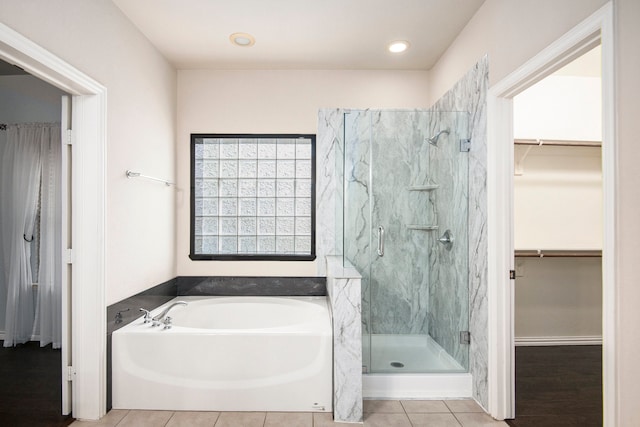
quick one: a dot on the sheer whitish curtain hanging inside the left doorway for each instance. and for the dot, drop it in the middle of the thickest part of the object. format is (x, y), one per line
(26, 159)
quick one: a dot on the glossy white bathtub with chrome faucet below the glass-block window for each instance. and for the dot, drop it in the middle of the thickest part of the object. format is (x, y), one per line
(228, 354)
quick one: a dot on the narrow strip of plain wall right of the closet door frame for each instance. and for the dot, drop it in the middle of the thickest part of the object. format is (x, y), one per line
(627, 62)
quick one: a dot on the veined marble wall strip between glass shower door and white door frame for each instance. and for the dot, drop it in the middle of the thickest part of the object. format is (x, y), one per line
(470, 94)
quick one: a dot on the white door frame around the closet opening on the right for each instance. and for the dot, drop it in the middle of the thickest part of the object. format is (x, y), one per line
(596, 29)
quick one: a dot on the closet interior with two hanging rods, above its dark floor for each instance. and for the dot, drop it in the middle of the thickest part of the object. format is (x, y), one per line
(558, 207)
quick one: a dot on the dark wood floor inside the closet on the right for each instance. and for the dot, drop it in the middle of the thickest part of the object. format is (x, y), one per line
(558, 386)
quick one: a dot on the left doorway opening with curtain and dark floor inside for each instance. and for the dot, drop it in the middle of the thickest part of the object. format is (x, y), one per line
(33, 110)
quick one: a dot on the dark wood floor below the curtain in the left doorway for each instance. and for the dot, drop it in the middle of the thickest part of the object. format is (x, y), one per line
(30, 387)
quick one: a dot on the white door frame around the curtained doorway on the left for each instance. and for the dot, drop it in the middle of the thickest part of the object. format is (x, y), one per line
(88, 187)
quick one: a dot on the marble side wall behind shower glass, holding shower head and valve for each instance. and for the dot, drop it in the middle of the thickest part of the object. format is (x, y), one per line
(448, 313)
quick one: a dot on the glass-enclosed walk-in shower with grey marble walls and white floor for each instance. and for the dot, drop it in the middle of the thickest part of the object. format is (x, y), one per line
(405, 228)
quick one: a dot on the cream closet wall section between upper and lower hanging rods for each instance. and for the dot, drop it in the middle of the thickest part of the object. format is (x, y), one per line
(558, 199)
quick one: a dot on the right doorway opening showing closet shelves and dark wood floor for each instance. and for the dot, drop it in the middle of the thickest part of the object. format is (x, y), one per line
(558, 247)
